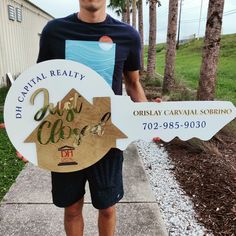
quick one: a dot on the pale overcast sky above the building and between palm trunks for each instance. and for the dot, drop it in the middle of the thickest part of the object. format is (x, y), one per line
(190, 15)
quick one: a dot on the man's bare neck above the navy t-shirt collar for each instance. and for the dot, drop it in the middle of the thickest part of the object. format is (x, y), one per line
(92, 17)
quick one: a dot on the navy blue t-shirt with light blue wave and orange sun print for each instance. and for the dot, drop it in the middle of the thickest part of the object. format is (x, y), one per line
(109, 47)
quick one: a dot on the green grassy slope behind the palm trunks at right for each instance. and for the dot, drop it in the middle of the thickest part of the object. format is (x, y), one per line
(188, 63)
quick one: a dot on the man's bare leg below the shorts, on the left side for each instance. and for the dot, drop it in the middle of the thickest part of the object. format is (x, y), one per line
(73, 219)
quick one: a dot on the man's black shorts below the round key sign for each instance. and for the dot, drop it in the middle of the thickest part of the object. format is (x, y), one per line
(105, 183)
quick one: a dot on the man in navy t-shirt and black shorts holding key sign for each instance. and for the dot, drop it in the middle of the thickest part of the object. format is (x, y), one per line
(75, 37)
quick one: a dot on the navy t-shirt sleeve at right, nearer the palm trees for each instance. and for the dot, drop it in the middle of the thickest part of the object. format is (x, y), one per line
(133, 60)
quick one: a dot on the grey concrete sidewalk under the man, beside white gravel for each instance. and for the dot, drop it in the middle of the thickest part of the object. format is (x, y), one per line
(27, 209)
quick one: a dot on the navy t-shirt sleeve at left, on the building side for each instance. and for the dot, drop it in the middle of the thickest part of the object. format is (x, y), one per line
(44, 49)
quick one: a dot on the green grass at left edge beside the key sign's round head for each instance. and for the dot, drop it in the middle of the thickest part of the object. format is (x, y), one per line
(10, 165)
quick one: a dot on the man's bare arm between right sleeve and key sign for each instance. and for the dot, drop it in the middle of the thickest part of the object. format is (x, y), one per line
(133, 86)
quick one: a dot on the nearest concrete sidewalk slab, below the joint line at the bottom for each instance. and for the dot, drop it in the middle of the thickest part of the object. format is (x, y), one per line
(40, 219)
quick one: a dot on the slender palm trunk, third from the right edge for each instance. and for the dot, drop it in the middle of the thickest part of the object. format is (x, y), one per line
(151, 66)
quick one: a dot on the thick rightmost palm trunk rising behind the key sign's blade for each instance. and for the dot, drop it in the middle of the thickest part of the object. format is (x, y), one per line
(207, 82)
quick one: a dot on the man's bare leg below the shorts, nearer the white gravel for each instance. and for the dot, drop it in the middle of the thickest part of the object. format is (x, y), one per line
(107, 221)
